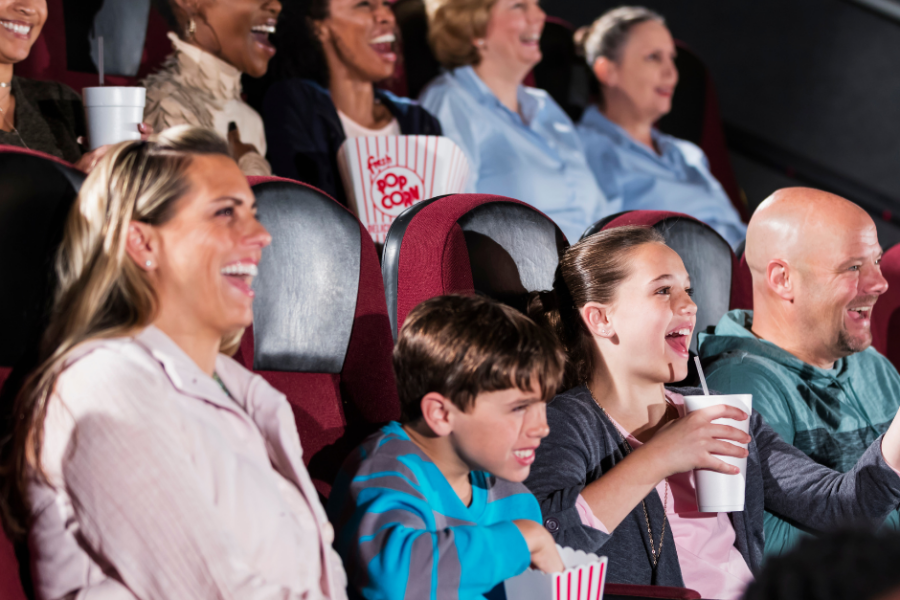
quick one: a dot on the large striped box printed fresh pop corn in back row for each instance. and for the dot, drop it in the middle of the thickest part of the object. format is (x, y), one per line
(385, 175)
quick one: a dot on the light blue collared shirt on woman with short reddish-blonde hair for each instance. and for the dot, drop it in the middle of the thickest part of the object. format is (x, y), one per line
(535, 157)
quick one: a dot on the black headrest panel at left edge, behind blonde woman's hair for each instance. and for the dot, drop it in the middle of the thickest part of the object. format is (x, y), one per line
(36, 194)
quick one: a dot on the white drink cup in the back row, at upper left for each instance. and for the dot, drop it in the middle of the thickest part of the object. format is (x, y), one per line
(113, 114)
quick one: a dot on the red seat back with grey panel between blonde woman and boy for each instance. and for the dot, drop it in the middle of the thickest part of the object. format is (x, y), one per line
(321, 333)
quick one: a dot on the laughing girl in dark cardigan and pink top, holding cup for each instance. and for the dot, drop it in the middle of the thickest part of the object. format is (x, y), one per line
(615, 474)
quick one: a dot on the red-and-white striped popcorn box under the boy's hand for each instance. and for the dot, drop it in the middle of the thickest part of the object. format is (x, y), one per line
(583, 579)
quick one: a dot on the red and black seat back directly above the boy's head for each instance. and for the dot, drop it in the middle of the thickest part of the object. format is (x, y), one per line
(467, 243)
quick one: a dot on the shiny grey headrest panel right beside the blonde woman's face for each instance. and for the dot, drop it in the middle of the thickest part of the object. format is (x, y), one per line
(308, 280)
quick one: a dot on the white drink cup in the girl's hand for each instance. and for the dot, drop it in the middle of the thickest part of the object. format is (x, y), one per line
(718, 492)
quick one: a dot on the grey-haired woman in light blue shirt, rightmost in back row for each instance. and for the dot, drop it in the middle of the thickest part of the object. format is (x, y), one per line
(639, 168)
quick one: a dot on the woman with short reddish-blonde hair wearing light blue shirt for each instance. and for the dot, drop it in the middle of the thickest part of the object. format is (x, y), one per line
(519, 142)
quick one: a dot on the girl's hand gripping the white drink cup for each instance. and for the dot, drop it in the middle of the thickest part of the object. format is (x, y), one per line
(691, 442)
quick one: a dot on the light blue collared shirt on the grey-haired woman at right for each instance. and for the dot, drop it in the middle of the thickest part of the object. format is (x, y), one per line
(634, 177)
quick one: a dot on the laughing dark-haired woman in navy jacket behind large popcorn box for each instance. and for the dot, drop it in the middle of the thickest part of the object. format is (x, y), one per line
(330, 55)
